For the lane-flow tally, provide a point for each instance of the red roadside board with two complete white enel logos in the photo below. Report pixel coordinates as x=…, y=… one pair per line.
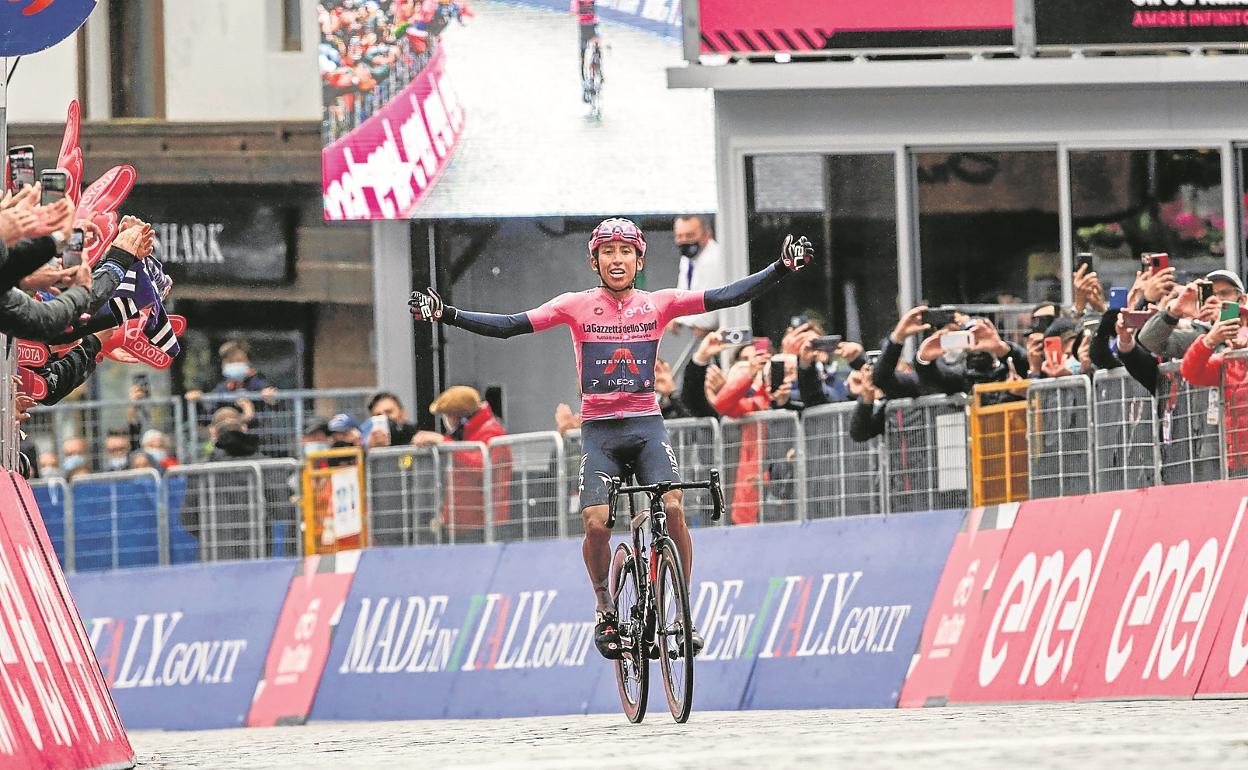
x=1111, y=596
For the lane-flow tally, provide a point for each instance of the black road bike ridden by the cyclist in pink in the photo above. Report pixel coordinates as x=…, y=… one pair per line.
x=652, y=601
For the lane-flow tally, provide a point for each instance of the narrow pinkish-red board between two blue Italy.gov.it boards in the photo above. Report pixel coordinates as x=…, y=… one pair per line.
x=303, y=640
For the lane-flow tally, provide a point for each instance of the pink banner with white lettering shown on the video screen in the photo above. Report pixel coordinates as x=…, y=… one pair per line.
x=389, y=163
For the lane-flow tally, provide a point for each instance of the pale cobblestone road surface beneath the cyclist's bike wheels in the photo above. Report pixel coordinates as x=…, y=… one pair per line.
x=1161, y=734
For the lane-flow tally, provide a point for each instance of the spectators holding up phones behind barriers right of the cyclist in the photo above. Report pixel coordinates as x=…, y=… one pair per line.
x=1158, y=320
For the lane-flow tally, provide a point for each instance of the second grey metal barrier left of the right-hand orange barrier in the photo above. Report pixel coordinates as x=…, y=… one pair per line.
x=843, y=476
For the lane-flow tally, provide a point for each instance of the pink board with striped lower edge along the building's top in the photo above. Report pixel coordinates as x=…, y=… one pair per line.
x=749, y=27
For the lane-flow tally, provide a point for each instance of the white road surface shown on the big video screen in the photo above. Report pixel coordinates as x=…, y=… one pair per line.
x=530, y=148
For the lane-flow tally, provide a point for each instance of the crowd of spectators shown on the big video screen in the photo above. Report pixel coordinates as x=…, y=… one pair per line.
x=373, y=49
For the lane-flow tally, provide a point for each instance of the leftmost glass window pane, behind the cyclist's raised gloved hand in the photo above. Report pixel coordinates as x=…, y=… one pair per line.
x=847, y=207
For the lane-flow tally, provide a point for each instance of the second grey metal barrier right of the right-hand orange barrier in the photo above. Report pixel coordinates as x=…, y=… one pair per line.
x=1125, y=419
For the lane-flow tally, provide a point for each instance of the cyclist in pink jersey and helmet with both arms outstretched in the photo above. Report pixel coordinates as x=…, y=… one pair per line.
x=616, y=330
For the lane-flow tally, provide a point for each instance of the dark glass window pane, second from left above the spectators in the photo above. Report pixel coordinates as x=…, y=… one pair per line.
x=989, y=230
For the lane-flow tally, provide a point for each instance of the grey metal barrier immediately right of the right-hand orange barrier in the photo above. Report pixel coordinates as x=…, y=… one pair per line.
x=1060, y=437
